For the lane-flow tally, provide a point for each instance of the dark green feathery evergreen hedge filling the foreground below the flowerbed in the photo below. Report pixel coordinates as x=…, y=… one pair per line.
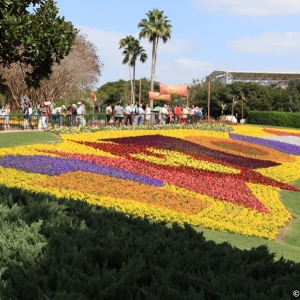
x=62, y=249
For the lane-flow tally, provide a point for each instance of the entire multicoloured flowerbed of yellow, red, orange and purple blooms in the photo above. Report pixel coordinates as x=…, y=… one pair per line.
x=213, y=179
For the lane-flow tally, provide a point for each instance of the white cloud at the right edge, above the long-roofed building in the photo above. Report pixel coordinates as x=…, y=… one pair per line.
x=268, y=42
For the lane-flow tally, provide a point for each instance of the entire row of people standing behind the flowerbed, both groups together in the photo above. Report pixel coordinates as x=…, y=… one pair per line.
x=75, y=115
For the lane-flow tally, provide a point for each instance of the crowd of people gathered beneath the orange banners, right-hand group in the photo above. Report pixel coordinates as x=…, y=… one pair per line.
x=138, y=114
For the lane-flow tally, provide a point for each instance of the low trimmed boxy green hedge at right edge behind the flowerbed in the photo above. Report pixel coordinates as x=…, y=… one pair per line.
x=274, y=118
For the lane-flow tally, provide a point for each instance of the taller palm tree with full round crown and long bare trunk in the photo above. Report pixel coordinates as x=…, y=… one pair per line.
x=155, y=27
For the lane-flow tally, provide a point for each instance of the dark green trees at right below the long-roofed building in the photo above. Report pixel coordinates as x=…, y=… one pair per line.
x=259, y=97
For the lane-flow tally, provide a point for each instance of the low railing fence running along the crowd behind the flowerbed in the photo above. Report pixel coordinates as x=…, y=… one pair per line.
x=99, y=119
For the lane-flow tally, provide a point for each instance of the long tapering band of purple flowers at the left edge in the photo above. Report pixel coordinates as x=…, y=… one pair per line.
x=57, y=165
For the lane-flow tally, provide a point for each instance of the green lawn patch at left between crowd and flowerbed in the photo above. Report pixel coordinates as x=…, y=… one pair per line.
x=14, y=139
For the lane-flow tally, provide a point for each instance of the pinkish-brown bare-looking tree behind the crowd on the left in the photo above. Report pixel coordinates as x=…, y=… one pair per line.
x=78, y=71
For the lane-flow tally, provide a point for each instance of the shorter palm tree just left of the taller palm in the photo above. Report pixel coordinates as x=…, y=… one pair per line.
x=132, y=50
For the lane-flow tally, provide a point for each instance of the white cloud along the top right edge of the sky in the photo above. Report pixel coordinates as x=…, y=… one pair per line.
x=250, y=7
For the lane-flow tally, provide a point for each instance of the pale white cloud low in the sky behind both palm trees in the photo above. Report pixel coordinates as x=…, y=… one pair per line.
x=107, y=43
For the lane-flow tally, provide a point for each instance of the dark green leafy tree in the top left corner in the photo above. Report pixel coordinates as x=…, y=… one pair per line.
x=33, y=36
